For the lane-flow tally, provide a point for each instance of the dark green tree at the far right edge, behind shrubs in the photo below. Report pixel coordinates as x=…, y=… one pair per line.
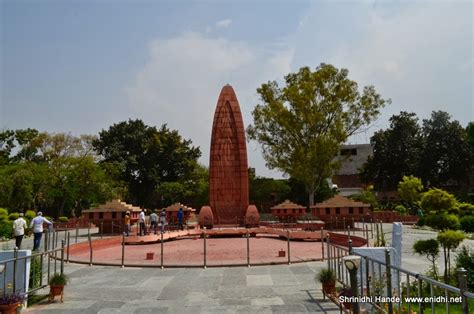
x=447, y=156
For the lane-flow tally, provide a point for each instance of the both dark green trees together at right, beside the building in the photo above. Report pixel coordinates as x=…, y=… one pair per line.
x=439, y=152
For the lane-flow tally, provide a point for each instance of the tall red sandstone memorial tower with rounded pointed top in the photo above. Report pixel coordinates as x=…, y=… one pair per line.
x=228, y=167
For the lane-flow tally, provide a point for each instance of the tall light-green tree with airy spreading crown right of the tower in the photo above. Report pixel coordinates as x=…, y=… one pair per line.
x=302, y=125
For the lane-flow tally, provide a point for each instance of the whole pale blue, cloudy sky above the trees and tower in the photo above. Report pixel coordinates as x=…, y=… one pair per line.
x=80, y=66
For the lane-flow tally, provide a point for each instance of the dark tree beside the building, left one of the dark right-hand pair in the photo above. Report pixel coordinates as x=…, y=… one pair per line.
x=396, y=152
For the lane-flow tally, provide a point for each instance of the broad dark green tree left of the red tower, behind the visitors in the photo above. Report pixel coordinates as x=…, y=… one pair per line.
x=146, y=157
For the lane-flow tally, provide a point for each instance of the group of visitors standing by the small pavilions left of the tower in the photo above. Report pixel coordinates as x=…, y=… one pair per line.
x=155, y=221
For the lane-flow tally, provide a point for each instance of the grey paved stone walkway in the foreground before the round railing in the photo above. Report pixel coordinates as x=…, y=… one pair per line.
x=260, y=289
